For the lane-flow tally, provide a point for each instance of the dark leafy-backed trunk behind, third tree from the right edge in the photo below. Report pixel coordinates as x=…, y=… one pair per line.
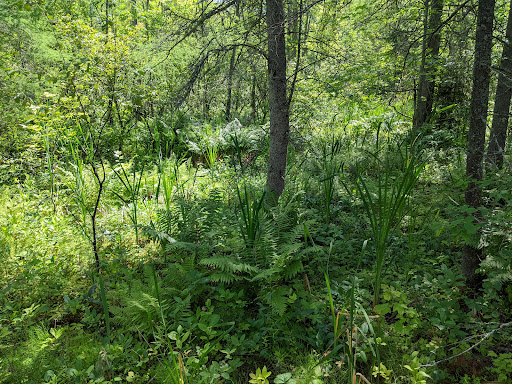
x=431, y=44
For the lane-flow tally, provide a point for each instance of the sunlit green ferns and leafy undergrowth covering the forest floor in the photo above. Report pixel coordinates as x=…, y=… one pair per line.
x=200, y=282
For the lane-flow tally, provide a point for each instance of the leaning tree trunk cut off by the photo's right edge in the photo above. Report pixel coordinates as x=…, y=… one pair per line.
x=497, y=140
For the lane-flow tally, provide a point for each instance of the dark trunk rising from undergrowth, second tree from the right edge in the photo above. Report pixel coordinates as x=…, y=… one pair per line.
x=472, y=255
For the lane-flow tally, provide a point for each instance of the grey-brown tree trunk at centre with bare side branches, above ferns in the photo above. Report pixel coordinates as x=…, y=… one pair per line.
x=278, y=103
